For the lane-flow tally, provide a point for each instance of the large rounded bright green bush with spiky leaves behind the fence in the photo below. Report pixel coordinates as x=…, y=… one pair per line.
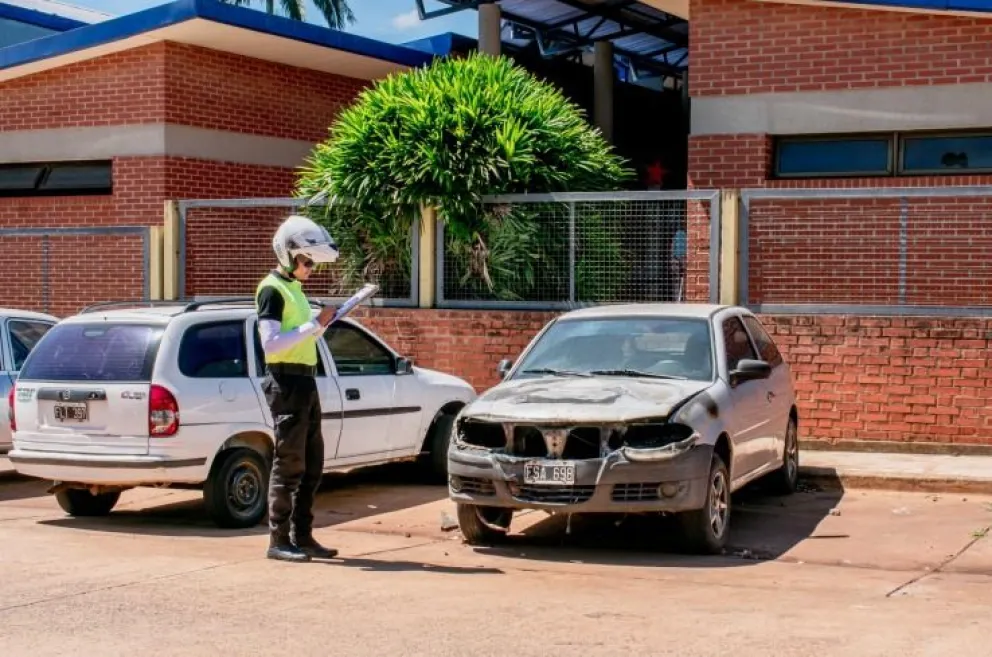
x=446, y=136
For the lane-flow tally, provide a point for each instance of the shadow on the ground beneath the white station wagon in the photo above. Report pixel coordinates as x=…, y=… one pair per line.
x=342, y=498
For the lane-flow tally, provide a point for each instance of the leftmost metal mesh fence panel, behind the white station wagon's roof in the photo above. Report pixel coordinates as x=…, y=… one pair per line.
x=59, y=270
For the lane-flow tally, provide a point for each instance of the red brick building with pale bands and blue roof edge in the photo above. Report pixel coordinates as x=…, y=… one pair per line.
x=880, y=301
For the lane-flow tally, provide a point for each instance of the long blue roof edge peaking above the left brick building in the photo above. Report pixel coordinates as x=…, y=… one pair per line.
x=131, y=25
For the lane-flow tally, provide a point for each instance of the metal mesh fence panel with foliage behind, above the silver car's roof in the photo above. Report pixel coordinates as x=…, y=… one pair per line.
x=553, y=251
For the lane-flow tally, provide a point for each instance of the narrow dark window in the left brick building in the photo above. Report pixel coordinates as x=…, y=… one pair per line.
x=56, y=179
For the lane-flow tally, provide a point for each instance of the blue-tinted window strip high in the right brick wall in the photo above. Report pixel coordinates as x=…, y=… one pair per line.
x=887, y=154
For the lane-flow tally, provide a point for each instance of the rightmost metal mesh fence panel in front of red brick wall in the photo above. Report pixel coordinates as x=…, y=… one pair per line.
x=889, y=251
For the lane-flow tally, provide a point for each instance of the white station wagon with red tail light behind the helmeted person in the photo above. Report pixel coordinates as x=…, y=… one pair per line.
x=170, y=395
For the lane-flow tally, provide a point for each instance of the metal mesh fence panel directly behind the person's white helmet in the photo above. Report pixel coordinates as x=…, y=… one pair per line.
x=226, y=248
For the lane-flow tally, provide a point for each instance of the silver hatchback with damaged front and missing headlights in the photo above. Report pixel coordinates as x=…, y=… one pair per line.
x=629, y=409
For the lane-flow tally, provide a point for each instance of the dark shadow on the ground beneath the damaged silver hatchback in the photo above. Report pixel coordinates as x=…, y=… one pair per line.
x=763, y=527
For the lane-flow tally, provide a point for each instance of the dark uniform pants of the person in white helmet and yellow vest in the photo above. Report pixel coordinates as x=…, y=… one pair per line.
x=298, y=462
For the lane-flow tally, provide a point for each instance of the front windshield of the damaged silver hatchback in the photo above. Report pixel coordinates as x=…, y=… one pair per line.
x=663, y=347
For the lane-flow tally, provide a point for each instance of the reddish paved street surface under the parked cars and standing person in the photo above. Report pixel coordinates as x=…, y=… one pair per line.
x=823, y=573
